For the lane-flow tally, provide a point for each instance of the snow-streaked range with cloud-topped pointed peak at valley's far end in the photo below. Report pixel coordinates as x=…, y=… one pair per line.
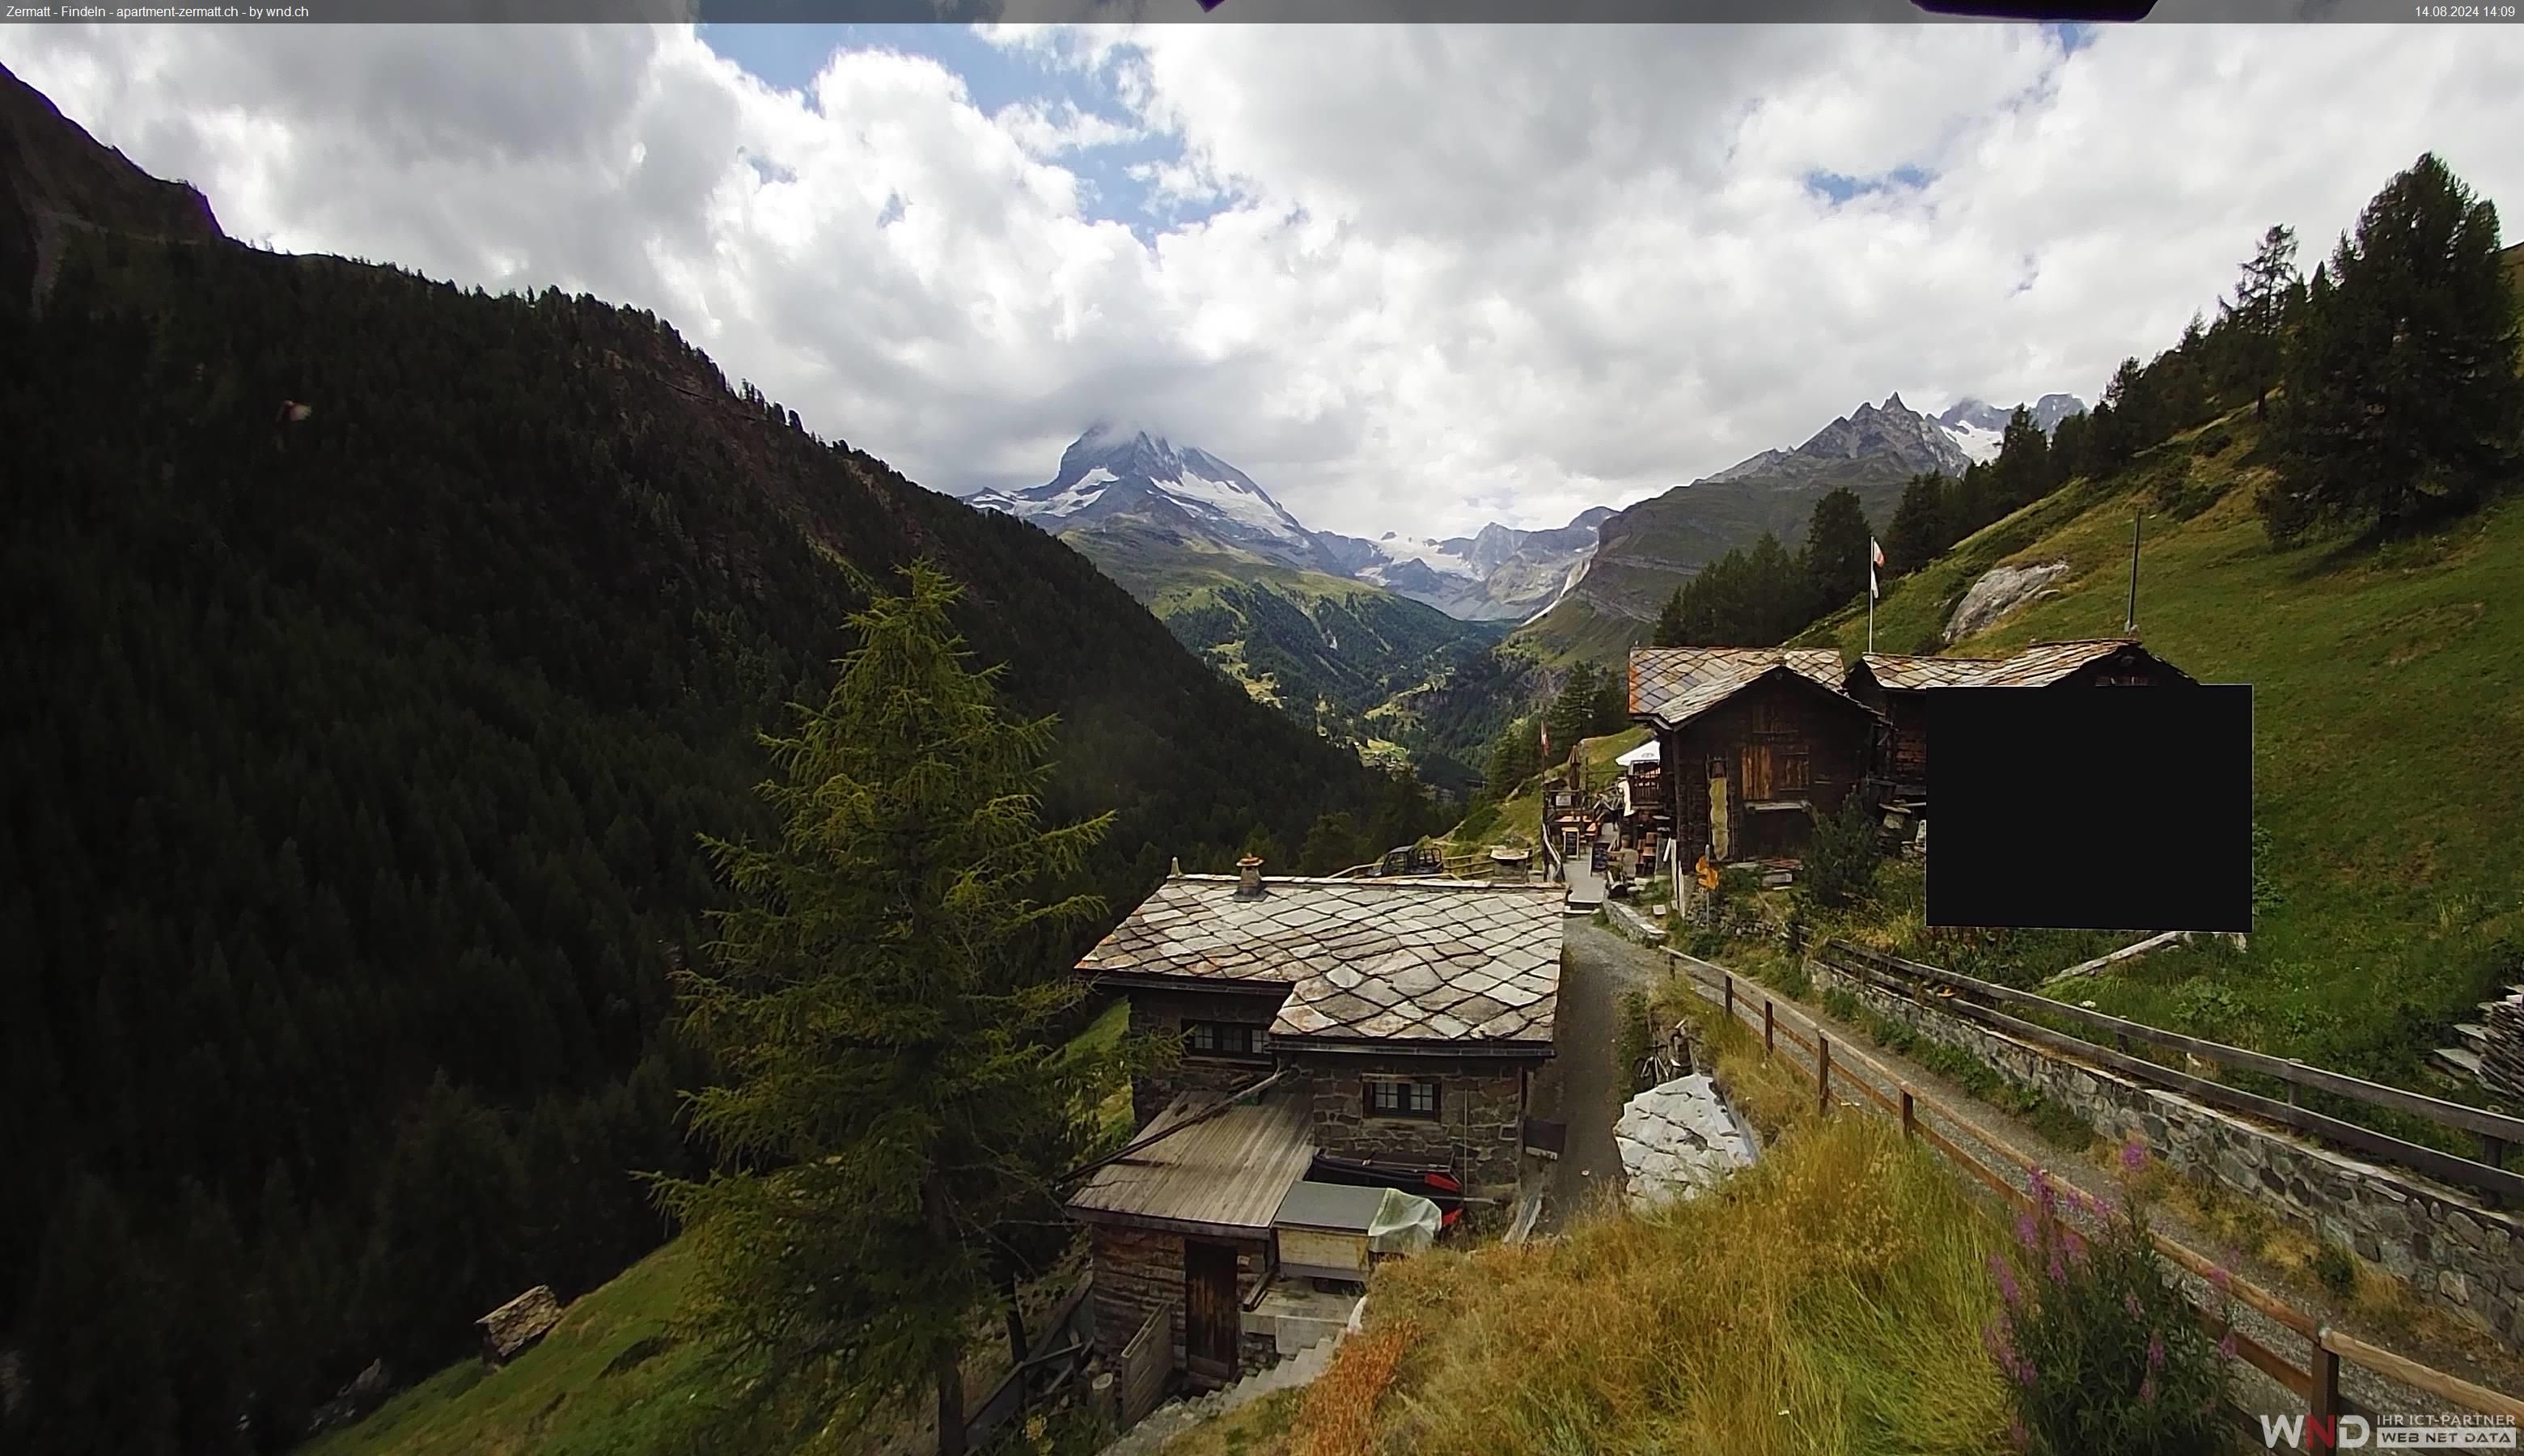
x=1137, y=488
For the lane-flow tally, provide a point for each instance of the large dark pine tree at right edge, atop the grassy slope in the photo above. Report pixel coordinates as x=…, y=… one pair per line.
x=2402, y=380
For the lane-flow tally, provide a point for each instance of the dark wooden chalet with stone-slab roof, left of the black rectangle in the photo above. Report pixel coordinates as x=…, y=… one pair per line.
x=1753, y=743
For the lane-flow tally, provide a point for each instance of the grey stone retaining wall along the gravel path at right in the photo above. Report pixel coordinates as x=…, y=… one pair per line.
x=2447, y=1245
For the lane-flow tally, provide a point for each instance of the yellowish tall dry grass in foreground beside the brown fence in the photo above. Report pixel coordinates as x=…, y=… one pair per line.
x=1826, y=1301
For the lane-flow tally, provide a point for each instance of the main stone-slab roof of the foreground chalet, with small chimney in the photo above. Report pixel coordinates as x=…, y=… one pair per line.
x=1407, y=960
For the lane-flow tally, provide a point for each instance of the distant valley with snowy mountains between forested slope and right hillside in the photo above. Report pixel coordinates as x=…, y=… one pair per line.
x=1420, y=650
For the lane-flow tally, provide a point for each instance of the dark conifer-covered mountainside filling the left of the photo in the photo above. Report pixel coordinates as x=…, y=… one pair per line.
x=377, y=655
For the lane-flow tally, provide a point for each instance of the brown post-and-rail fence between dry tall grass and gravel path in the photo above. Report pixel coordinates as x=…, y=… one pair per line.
x=2318, y=1382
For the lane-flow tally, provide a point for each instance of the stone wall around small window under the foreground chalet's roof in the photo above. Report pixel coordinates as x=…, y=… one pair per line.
x=1478, y=1134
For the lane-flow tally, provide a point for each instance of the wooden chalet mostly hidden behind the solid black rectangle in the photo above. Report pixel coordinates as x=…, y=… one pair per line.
x=1897, y=688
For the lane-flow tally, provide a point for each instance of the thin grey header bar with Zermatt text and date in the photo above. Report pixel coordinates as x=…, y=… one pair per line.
x=1268, y=11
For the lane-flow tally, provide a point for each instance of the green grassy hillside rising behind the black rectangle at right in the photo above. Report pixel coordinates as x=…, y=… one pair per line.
x=2389, y=690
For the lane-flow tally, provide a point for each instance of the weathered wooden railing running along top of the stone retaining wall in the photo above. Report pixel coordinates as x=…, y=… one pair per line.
x=1978, y=1001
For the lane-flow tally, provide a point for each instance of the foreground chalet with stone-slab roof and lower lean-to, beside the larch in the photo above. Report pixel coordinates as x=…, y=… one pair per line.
x=1362, y=1023
